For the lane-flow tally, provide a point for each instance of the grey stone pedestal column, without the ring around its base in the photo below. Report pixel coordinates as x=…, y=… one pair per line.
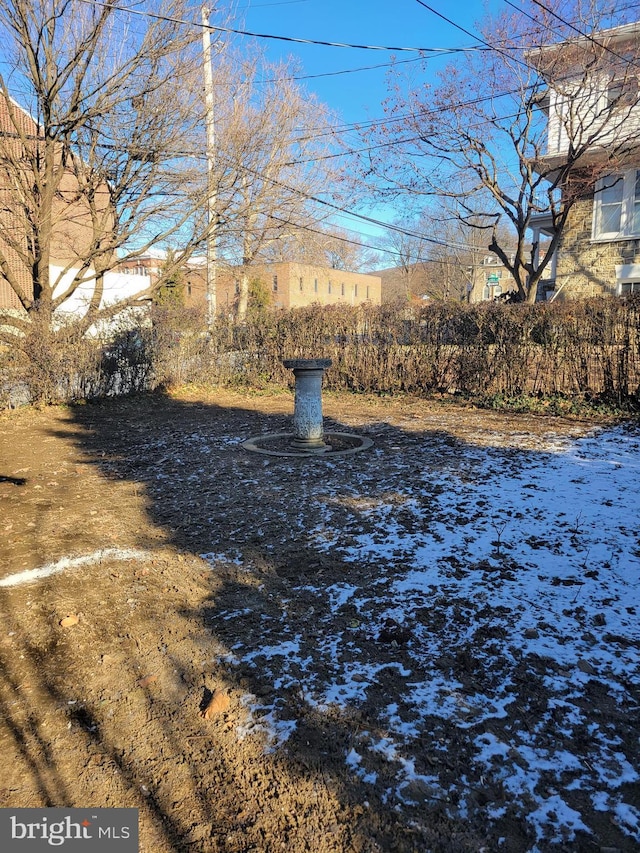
x=307, y=411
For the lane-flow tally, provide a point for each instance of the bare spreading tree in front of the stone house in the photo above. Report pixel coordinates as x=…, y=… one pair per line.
x=479, y=138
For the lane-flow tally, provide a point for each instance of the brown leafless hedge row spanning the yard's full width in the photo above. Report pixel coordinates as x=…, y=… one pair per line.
x=582, y=349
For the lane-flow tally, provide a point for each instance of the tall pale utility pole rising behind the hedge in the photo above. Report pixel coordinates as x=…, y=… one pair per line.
x=212, y=225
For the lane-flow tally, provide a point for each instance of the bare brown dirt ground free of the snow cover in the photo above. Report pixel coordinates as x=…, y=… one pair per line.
x=105, y=708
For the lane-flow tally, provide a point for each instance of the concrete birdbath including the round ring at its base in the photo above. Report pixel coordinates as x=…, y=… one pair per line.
x=308, y=437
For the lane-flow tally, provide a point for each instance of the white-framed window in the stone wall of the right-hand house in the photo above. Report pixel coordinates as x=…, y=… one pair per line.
x=616, y=208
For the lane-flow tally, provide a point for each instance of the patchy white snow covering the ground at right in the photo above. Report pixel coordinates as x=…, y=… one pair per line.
x=503, y=593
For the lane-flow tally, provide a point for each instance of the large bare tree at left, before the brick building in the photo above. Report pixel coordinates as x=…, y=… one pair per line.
x=96, y=110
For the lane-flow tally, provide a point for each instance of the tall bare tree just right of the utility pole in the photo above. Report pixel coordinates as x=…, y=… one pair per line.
x=275, y=141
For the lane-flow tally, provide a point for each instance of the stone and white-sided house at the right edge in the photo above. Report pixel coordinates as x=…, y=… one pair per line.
x=599, y=248
